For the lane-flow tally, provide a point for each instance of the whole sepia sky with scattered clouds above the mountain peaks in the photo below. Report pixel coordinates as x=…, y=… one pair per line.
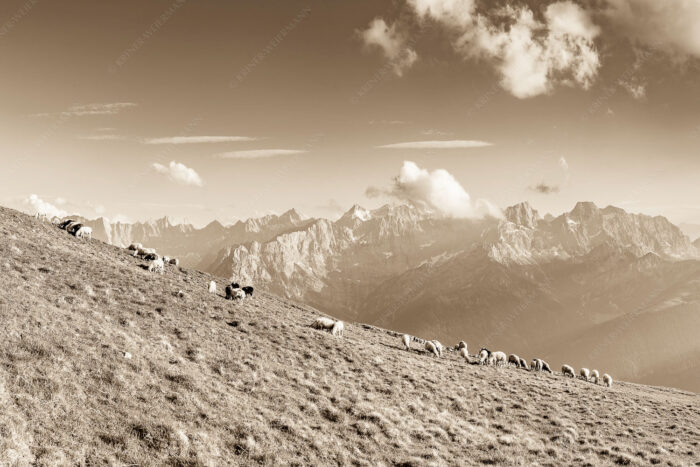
x=203, y=110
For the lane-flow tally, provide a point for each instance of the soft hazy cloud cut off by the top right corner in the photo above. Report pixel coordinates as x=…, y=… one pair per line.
x=670, y=25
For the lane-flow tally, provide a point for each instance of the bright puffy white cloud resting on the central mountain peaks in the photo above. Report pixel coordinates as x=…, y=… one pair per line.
x=437, y=190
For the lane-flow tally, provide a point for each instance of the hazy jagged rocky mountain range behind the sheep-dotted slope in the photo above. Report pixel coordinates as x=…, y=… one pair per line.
x=581, y=285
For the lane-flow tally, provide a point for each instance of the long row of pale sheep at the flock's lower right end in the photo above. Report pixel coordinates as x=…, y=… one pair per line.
x=486, y=357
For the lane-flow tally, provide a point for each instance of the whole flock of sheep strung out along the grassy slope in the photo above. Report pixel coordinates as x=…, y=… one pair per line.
x=235, y=292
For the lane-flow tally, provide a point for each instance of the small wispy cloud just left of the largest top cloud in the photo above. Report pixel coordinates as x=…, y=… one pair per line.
x=391, y=42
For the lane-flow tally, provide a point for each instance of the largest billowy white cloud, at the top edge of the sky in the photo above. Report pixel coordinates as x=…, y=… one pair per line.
x=531, y=55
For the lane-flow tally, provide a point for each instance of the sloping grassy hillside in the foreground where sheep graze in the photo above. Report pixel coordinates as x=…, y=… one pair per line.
x=103, y=362
